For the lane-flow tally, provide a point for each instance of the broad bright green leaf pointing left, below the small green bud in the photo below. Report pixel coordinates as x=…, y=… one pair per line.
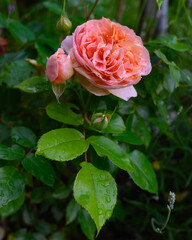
x=62, y=144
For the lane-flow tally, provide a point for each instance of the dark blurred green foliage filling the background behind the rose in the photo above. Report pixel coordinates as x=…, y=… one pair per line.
x=158, y=121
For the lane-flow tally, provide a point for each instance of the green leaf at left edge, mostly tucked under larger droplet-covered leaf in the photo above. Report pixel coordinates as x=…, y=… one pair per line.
x=12, y=206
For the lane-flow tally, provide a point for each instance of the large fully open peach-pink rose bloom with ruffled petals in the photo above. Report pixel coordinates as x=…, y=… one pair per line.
x=107, y=57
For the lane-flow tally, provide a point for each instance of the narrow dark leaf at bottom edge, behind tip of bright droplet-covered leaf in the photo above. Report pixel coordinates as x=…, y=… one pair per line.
x=87, y=225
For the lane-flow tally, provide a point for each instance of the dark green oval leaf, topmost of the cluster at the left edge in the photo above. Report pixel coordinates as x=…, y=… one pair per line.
x=23, y=136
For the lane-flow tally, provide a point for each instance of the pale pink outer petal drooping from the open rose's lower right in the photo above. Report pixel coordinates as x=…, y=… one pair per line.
x=124, y=93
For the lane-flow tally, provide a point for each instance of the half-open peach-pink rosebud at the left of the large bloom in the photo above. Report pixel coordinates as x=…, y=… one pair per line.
x=59, y=67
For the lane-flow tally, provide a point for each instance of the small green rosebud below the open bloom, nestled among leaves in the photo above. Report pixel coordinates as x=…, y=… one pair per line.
x=99, y=121
